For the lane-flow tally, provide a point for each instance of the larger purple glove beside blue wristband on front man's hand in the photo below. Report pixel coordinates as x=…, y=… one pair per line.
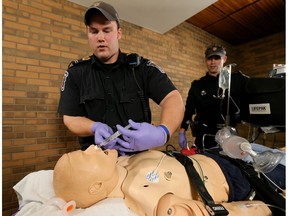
x=143, y=136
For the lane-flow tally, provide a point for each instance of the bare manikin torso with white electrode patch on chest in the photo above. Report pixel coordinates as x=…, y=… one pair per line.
x=146, y=177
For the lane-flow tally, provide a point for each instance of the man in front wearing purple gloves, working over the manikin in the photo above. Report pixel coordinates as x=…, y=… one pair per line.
x=111, y=89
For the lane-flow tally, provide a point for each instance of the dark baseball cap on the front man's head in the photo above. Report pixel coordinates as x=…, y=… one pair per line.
x=106, y=9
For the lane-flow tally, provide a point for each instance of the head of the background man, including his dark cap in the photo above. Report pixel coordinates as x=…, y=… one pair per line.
x=215, y=56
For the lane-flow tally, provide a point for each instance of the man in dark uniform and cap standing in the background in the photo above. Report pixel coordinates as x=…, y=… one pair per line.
x=204, y=101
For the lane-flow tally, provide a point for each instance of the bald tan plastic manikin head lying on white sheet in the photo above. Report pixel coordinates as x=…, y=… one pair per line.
x=85, y=176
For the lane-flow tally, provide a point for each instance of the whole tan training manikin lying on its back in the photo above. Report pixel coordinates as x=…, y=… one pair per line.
x=151, y=183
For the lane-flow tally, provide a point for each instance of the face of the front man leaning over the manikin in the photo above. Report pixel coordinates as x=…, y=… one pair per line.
x=103, y=36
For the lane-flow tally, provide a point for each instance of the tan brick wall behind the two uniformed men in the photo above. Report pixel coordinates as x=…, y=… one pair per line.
x=40, y=38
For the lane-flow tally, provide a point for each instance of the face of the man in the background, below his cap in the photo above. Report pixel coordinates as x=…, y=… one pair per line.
x=215, y=64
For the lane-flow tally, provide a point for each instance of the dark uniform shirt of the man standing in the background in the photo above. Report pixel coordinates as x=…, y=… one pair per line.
x=202, y=100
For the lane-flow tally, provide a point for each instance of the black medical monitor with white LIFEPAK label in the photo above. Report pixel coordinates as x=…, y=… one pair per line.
x=263, y=102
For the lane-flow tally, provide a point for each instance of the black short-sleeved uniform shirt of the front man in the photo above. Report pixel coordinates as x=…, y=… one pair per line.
x=111, y=93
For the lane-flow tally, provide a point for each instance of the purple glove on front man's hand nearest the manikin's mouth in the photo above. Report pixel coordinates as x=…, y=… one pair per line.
x=101, y=131
